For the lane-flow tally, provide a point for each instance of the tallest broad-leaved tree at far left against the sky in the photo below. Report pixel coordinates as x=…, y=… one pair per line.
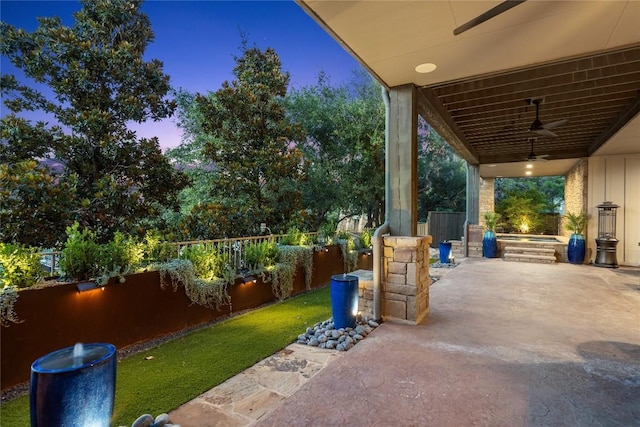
x=100, y=82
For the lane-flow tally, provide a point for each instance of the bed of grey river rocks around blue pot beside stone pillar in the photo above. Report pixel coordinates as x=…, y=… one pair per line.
x=325, y=335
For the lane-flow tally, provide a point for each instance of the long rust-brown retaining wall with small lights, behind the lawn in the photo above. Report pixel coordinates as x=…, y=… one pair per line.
x=127, y=313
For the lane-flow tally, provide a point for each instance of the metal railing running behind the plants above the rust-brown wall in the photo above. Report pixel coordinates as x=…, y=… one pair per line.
x=234, y=248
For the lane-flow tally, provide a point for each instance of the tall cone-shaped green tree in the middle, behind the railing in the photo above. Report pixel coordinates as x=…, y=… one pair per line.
x=248, y=146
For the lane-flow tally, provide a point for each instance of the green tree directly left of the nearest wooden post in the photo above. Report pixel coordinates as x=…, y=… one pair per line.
x=344, y=148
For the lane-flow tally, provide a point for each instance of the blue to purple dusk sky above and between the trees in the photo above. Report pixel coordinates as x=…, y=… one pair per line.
x=197, y=40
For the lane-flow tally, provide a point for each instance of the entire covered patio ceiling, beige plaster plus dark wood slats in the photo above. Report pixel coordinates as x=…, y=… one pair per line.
x=581, y=59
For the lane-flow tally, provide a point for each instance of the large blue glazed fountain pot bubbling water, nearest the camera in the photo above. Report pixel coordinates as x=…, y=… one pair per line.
x=68, y=390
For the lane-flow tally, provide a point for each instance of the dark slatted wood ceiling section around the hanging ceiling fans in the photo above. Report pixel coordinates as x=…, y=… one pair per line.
x=597, y=94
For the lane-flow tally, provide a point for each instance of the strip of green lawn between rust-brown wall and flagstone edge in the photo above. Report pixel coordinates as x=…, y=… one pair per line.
x=188, y=366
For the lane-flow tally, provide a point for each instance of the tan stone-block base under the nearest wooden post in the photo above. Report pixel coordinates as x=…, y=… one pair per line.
x=406, y=280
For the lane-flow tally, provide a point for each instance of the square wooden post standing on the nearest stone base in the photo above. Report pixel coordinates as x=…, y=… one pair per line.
x=403, y=161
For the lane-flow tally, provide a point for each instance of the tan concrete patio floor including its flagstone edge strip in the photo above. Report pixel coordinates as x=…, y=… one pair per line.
x=505, y=344
